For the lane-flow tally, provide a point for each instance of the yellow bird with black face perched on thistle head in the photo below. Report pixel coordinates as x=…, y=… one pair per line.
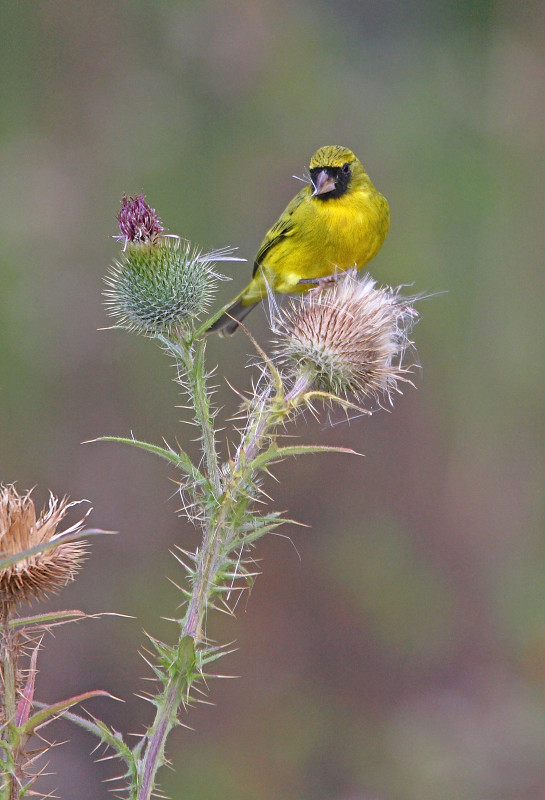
x=337, y=222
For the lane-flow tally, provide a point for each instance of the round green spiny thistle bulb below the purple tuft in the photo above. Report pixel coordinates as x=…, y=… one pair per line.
x=158, y=287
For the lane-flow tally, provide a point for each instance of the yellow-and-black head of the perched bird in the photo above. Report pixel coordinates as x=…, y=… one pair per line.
x=333, y=171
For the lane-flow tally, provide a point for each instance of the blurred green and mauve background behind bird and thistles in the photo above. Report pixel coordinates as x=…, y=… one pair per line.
x=397, y=652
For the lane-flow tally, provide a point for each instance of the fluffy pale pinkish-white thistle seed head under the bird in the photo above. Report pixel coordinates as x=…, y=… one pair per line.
x=348, y=339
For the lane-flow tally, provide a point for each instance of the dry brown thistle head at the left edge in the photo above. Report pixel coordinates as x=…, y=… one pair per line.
x=20, y=529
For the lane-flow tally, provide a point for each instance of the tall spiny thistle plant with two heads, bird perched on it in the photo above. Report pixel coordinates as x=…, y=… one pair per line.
x=343, y=345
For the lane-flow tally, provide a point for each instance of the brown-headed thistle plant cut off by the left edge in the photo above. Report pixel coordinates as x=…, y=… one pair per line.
x=35, y=560
